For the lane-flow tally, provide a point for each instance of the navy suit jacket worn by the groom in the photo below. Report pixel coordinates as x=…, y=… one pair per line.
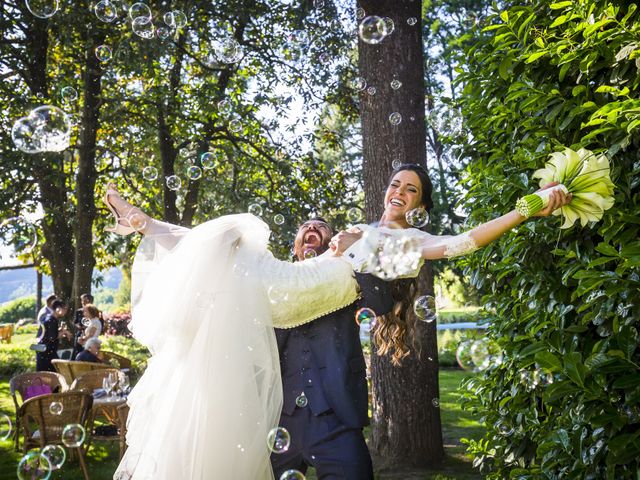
x=324, y=359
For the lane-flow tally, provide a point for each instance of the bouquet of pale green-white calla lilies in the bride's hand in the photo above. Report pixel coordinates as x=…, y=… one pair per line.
x=583, y=174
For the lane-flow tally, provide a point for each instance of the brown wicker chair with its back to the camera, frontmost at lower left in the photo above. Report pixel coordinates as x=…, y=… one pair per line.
x=42, y=428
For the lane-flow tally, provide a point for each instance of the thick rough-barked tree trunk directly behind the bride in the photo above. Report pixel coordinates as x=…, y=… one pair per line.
x=406, y=424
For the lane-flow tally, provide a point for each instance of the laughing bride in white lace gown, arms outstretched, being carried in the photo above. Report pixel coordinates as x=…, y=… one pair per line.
x=205, y=301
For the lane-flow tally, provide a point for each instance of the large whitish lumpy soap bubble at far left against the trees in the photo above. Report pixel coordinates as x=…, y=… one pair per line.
x=45, y=129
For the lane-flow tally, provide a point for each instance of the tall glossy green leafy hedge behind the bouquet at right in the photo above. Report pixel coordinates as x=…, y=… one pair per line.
x=564, y=305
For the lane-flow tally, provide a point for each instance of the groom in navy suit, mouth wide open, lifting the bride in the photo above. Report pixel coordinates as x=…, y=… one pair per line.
x=324, y=379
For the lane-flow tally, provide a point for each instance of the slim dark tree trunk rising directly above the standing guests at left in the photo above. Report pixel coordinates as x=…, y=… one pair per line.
x=86, y=177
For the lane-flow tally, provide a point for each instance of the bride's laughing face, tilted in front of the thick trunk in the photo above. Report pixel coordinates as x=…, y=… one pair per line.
x=404, y=193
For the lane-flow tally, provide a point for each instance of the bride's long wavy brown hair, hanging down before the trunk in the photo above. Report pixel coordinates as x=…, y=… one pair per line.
x=394, y=330
